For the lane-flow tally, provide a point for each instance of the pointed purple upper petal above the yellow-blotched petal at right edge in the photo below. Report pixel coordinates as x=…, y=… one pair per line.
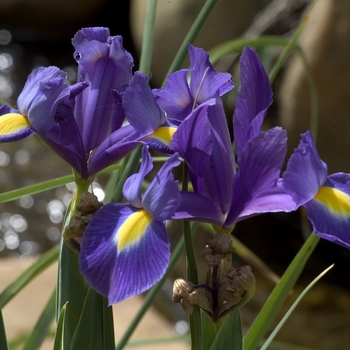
x=305, y=172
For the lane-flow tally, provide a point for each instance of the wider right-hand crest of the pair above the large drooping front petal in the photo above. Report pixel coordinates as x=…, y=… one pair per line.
x=162, y=197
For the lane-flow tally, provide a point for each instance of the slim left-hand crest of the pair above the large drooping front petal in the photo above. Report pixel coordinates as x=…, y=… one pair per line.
x=132, y=186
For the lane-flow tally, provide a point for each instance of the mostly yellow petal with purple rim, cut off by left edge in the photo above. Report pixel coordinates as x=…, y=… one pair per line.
x=13, y=127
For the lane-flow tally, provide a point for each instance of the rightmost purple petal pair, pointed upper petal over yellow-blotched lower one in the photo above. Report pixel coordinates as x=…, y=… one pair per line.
x=326, y=198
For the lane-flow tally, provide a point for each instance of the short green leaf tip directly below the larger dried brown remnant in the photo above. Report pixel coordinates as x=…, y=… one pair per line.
x=229, y=336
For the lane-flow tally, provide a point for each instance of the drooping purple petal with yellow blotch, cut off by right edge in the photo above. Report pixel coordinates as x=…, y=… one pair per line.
x=329, y=211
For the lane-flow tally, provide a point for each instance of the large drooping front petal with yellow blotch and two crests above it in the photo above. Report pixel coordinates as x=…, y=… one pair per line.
x=125, y=249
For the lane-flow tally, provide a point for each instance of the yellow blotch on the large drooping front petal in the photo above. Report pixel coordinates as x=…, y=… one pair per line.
x=133, y=228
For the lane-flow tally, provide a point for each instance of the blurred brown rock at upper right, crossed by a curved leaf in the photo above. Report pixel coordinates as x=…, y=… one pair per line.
x=326, y=43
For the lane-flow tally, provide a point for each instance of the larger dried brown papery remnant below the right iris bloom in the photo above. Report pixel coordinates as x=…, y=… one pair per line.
x=226, y=288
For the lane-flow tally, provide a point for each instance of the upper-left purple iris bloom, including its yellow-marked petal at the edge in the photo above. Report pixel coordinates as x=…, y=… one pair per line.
x=82, y=120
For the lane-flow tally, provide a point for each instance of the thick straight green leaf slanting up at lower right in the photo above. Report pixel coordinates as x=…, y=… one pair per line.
x=278, y=296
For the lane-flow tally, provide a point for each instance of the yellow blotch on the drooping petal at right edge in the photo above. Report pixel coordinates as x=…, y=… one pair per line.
x=336, y=200
